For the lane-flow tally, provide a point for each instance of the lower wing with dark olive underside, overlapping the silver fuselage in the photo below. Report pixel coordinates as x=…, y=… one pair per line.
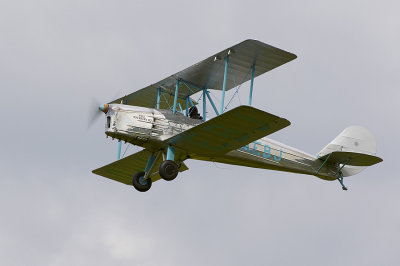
x=228, y=131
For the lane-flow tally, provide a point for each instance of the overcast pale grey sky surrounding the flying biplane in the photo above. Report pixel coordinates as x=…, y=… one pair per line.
x=57, y=55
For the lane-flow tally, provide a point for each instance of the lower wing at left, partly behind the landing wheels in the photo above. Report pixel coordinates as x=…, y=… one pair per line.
x=124, y=169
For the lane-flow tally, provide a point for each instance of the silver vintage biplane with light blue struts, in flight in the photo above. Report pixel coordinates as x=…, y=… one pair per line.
x=164, y=120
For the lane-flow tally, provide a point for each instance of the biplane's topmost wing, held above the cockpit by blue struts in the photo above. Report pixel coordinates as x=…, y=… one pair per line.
x=209, y=73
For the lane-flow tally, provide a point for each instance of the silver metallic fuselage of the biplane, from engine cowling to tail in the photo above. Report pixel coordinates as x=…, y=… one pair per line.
x=150, y=128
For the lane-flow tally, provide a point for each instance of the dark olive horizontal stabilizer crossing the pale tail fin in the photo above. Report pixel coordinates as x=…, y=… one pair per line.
x=351, y=158
